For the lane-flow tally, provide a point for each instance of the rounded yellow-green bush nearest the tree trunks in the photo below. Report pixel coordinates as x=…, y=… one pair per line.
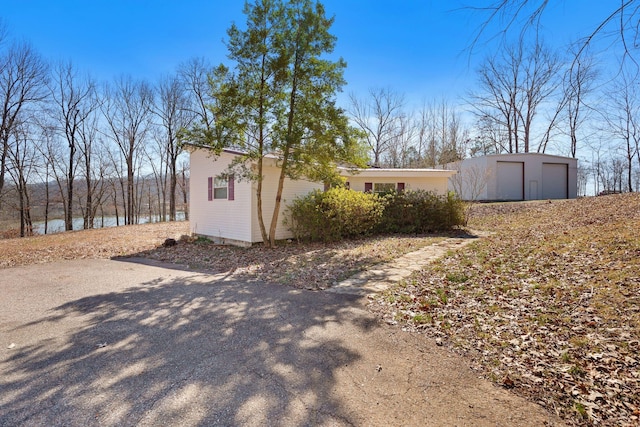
x=335, y=214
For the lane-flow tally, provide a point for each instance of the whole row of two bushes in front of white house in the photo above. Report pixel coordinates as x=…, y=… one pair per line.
x=341, y=213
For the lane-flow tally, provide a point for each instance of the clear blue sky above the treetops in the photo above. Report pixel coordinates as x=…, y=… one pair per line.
x=416, y=47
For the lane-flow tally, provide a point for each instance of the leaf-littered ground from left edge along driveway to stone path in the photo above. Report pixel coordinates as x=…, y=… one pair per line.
x=304, y=265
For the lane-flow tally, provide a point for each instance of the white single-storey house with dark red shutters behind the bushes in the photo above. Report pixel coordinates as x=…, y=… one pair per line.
x=225, y=210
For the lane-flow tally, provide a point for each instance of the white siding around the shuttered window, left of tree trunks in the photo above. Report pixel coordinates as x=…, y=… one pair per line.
x=219, y=219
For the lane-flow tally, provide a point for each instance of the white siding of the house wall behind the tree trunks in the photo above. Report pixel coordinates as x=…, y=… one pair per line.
x=290, y=191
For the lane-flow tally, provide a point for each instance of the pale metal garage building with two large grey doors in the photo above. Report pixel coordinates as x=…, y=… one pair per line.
x=523, y=176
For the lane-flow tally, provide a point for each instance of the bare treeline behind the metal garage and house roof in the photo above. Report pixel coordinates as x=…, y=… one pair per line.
x=527, y=98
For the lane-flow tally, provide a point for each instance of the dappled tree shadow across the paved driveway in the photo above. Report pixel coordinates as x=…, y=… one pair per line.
x=185, y=349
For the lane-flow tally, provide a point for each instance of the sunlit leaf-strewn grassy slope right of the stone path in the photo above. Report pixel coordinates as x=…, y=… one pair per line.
x=548, y=305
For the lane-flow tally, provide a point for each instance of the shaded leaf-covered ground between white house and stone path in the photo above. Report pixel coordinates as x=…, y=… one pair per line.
x=303, y=265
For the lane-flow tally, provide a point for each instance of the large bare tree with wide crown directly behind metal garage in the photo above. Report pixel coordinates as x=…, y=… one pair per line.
x=512, y=87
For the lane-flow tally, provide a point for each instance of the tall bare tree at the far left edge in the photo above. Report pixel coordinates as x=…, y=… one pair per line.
x=23, y=76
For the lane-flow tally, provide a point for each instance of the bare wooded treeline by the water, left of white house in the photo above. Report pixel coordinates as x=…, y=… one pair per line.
x=77, y=147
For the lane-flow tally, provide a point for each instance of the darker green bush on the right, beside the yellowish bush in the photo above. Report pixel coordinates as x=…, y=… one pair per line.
x=420, y=211
